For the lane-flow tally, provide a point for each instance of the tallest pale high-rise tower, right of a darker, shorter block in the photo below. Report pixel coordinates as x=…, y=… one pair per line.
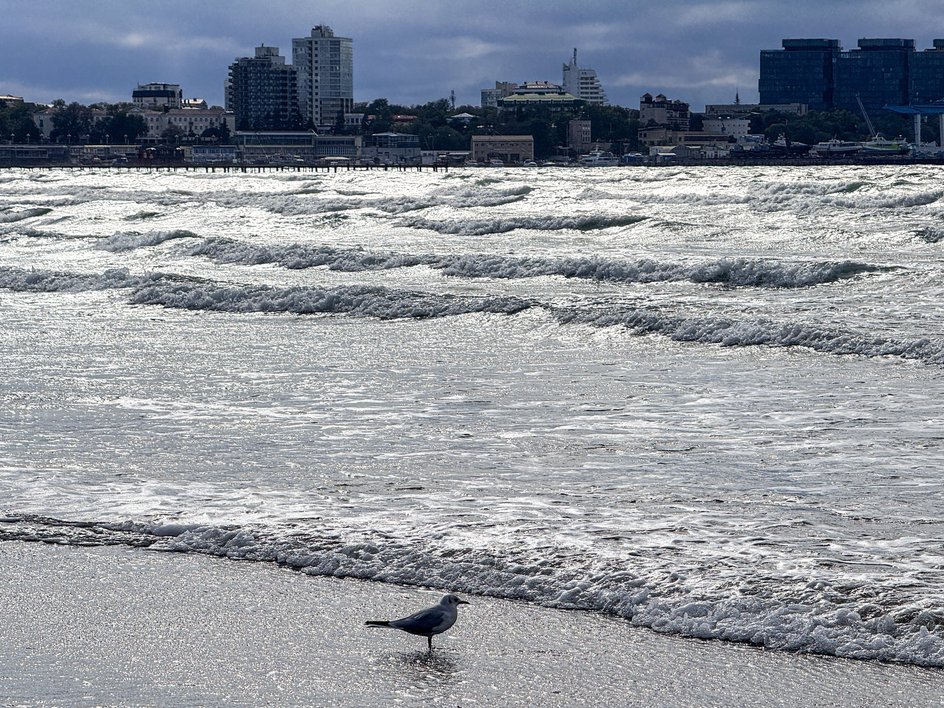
x=325, y=65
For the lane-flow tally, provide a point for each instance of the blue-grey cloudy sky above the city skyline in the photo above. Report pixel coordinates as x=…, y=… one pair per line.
x=413, y=51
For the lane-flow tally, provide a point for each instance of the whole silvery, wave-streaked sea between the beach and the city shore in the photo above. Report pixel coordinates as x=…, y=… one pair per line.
x=705, y=400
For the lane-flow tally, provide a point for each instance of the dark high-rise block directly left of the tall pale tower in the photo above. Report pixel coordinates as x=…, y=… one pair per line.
x=262, y=92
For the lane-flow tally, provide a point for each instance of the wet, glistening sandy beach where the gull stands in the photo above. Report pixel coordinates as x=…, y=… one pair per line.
x=118, y=626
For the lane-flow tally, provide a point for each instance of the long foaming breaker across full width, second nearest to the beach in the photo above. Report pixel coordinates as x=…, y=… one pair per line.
x=385, y=303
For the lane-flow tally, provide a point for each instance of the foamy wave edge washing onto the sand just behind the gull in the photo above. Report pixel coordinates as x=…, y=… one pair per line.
x=774, y=612
